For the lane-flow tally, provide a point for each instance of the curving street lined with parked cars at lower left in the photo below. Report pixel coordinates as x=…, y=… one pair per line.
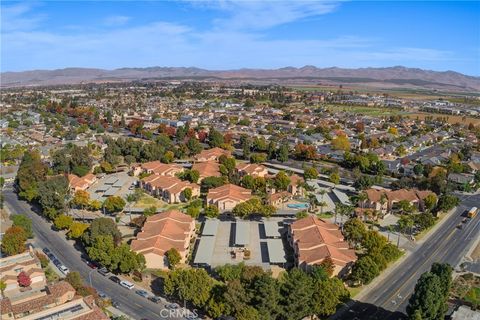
x=130, y=303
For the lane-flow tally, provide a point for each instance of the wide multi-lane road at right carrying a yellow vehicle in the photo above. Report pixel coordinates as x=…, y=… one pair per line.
x=389, y=298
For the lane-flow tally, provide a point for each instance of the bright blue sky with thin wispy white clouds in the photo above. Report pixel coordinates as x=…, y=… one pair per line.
x=240, y=34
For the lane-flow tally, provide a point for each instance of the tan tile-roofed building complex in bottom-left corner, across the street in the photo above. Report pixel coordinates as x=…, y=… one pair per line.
x=39, y=300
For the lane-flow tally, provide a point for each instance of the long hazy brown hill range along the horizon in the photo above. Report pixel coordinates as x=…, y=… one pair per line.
x=392, y=77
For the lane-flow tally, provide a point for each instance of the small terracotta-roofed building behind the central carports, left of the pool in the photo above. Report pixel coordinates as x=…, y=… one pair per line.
x=228, y=196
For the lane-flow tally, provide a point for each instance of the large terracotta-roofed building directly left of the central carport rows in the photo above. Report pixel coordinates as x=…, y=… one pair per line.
x=162, y=232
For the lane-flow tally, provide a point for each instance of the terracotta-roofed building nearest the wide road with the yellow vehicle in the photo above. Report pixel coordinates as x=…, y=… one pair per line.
x=384, y=201
